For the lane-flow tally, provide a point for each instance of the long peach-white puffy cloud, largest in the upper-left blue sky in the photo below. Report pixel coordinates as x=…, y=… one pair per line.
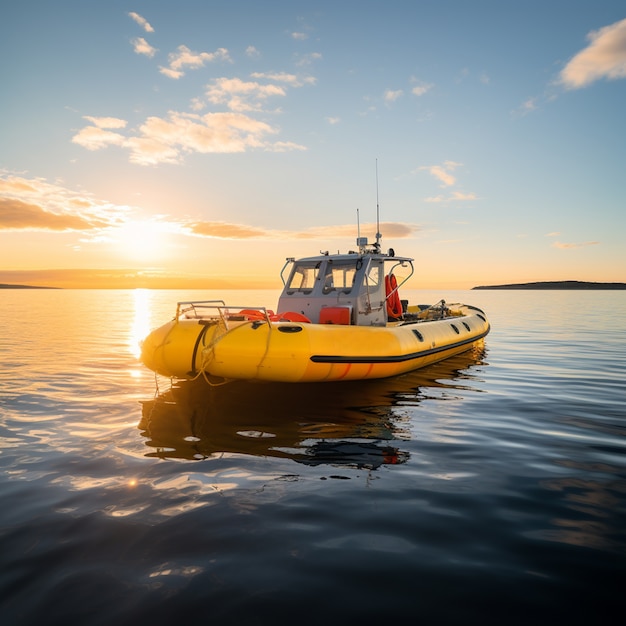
x=168, y=139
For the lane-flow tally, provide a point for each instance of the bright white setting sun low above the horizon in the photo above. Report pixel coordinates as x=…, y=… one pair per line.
x=141, y=241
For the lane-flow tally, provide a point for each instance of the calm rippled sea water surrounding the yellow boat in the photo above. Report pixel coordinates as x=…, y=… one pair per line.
x=488, y=489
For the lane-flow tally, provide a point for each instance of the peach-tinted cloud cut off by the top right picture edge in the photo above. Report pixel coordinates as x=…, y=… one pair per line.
x=604, y=57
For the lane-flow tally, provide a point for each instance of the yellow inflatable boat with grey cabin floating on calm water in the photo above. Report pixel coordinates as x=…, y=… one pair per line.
x=339, y=317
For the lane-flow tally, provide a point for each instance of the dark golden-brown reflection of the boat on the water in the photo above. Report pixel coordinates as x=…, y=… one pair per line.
x=352, y=424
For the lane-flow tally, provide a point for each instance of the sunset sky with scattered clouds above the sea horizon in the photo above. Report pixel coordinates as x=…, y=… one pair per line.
x=198, y=144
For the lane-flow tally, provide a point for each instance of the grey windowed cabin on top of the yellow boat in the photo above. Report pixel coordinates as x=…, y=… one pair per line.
x=355, y=288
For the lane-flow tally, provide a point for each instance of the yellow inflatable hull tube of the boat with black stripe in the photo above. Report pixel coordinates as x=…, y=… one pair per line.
x=301, y=352
